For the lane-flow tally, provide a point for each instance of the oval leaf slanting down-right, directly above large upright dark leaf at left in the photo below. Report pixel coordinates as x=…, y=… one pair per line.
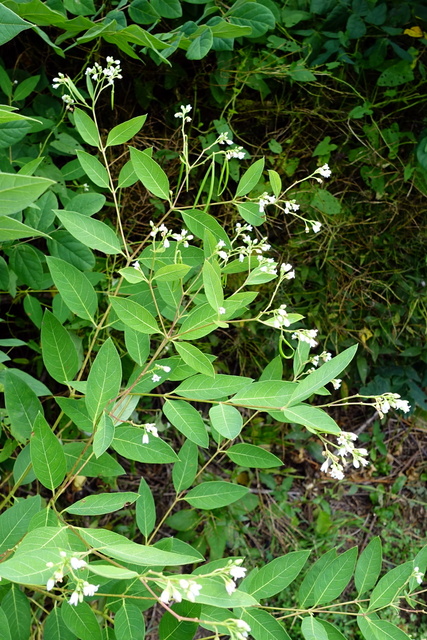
x=74, y=287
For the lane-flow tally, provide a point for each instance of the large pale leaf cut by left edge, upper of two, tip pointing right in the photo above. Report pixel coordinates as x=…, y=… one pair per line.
x=18, y=191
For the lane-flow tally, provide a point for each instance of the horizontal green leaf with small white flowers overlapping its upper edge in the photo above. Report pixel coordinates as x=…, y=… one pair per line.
x=128, y=443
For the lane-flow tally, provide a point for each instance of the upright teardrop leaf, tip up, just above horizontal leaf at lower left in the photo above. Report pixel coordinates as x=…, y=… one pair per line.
x=47, y=455
